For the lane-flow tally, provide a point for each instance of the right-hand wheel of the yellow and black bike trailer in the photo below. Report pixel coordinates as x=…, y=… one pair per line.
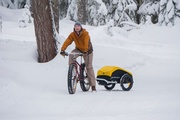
x=126, y=82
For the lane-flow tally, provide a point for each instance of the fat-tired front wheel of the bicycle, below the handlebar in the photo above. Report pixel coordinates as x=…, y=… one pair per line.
x=72, y=79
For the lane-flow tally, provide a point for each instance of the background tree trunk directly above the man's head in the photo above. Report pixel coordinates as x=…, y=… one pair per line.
x=82, y=11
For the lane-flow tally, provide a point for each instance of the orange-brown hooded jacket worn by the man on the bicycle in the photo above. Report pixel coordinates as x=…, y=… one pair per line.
x=81, y=41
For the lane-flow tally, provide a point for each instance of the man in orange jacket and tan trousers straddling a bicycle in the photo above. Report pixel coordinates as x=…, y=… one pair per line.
x=83, y=44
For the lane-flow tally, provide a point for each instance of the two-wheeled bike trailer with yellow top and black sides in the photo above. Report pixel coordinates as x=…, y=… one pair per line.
x=109, y=76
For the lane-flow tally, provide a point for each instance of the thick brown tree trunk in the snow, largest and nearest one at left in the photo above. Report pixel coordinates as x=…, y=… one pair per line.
x=43, y=24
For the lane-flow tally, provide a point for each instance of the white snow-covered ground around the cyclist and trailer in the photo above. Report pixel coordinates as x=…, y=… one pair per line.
x=38, y=91
